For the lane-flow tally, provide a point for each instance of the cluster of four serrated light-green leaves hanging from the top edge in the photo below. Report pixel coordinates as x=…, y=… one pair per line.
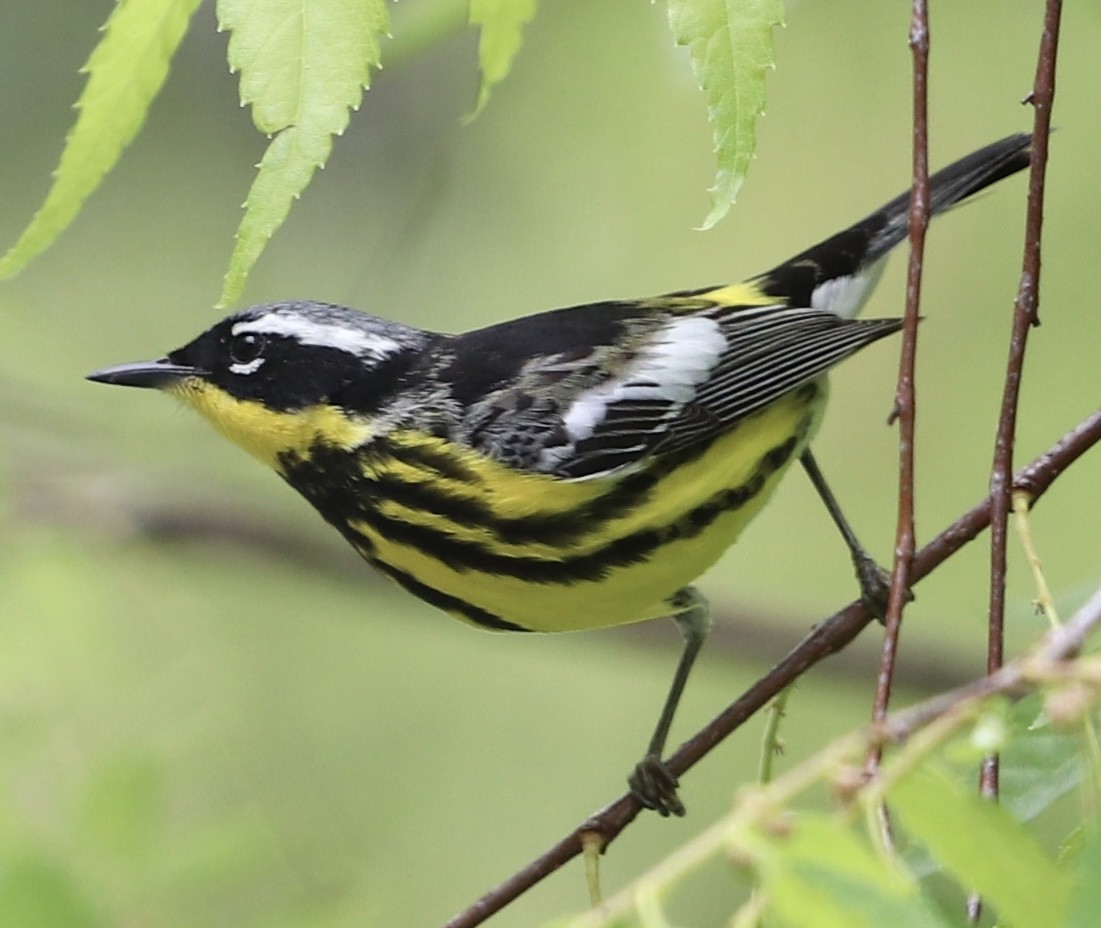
x=303, y=69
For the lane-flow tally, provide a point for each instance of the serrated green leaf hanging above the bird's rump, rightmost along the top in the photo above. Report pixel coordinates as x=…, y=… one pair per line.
x=731, y=47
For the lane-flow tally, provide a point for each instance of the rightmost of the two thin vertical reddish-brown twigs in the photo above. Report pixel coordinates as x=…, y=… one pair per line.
x=1026, y=315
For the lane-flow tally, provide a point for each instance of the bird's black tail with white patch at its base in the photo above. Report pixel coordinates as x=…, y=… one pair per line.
x=855, y=253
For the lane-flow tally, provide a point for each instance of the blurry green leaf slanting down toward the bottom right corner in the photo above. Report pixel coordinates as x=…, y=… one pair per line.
x=983, y=848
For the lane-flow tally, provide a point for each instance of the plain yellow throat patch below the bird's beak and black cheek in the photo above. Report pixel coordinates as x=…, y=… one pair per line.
x=267, y=433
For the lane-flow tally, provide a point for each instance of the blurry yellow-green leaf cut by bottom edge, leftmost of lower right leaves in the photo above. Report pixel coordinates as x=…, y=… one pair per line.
x=822, y=876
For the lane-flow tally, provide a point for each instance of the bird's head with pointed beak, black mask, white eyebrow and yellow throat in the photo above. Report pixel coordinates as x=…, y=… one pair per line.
x=274, y=378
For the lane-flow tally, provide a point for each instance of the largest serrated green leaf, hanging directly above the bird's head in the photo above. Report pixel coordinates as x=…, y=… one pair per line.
x=304, y=65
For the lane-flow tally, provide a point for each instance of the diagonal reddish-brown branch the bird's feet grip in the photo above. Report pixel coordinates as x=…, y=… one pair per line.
x=831, y=637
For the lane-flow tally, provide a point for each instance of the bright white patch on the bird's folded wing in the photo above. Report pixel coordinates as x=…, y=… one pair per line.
x=682, y=357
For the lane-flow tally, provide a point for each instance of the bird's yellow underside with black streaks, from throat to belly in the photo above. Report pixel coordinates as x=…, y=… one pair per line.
x=504, y=548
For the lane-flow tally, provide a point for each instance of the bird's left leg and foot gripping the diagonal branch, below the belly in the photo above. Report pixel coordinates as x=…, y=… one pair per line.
x=652, y=782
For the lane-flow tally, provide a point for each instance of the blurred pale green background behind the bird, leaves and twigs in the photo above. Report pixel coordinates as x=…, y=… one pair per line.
x=212, y=714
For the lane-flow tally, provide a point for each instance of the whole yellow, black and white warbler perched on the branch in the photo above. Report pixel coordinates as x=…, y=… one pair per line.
x=574, y=470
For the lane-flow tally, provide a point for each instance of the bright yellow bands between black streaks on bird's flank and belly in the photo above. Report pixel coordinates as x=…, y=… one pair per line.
x=626, y=594
